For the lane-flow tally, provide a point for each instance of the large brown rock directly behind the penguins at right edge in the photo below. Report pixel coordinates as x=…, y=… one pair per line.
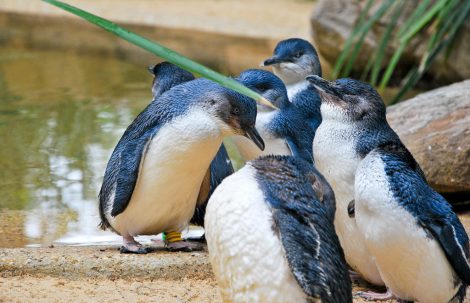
x=435, y=126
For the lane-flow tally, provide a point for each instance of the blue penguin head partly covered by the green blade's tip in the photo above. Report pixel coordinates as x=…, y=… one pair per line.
x=267, y=85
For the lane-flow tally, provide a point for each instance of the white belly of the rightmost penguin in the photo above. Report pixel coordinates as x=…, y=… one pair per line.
x=412, y=265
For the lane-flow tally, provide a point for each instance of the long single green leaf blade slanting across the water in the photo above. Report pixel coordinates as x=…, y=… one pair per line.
x=162, y=51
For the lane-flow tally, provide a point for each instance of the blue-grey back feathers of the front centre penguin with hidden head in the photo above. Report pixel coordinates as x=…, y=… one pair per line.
x=305, y=226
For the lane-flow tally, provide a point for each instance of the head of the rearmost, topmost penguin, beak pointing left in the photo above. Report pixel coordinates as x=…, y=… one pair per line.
x=293, y=60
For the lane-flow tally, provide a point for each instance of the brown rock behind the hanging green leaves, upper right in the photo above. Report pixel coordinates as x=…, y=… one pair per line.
x=333, y=20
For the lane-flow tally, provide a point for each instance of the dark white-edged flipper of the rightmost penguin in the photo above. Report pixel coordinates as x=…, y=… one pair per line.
x=456, y=253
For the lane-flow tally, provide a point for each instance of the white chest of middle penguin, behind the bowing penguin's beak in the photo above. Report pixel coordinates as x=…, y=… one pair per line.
x=273, y=145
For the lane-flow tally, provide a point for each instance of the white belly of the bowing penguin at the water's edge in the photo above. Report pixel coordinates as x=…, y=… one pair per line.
x=170, y=177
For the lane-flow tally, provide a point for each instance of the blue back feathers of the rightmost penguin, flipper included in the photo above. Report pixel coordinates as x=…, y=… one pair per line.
x=429, y=208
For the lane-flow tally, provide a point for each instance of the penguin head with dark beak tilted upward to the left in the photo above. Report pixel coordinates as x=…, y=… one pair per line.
x=348, y=100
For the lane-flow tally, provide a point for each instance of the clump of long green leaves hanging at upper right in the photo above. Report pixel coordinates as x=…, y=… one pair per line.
x=441, y=19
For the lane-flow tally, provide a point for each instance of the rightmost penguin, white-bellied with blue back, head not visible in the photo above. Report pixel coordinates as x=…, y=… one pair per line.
x=419, y=244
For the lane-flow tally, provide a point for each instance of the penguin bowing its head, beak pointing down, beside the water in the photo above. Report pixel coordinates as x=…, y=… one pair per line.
x=154, y=176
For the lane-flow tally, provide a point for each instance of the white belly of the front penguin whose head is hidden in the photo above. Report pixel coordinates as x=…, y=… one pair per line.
x=247, y=257
